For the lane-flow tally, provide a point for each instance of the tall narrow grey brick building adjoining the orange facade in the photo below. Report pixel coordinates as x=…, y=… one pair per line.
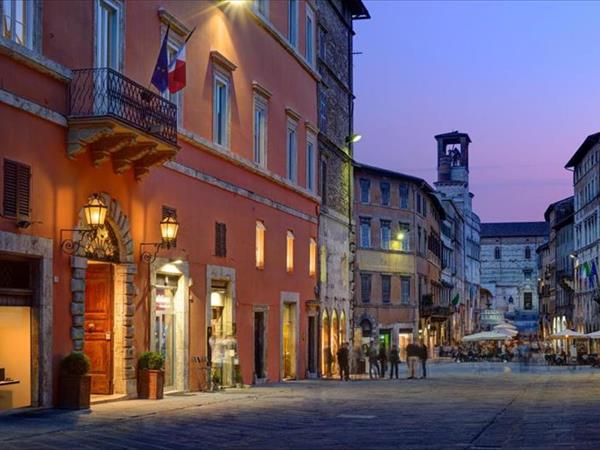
x=336, y=105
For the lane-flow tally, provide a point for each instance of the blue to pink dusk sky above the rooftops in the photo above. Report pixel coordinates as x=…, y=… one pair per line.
x=522, y=78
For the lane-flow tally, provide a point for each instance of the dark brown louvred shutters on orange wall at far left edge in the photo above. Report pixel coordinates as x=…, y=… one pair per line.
x=17, y=186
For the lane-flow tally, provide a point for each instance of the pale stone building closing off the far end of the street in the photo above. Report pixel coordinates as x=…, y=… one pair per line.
x=509, y=268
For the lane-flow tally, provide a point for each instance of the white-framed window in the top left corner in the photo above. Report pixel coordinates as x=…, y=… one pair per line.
x=17, y=21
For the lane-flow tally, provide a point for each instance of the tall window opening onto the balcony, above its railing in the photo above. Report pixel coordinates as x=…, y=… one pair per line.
x=108, y=34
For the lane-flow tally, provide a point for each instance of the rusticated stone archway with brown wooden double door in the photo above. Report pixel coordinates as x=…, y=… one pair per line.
x=102, y=302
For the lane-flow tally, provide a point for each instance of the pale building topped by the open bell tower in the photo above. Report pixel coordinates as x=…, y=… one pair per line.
x=453, y=185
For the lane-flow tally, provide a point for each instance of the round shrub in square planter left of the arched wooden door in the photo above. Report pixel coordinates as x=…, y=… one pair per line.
x=75, y=383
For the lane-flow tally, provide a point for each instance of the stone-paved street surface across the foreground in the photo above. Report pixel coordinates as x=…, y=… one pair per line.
x=460, y=406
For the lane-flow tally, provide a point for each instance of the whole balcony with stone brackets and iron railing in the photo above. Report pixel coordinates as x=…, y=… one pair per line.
x=119, y=121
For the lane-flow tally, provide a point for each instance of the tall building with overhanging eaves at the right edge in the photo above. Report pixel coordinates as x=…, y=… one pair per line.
x=585, y=164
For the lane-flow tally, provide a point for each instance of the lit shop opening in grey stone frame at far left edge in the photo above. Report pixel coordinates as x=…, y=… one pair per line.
x=25, y=321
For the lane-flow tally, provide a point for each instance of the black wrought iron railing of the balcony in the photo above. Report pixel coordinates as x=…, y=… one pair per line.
x=104, y=92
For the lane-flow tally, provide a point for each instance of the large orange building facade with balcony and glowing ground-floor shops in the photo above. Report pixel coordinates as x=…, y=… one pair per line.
x=231, y=158
